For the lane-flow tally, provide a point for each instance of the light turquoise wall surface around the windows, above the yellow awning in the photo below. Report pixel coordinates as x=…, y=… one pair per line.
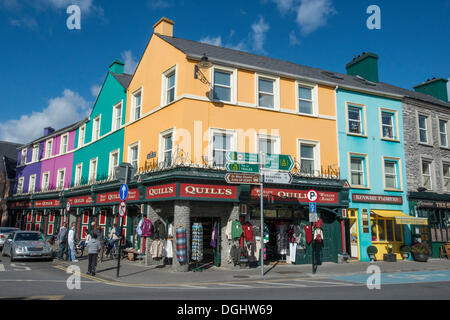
x=375, y=148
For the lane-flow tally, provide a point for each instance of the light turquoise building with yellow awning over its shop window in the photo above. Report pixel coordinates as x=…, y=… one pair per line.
x=371, y=155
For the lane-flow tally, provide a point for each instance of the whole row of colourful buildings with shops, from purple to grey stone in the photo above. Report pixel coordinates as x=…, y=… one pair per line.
x=356, y=140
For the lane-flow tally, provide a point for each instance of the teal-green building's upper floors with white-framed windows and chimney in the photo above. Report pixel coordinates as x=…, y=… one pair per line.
x=99, y=139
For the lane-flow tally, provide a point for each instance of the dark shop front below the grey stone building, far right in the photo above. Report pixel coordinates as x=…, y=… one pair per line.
x=435, y=208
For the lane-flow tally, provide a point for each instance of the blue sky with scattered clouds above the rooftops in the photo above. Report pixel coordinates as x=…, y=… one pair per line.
x=51, y=75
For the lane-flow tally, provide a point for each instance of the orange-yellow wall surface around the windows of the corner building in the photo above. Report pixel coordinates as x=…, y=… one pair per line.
x=192, y=115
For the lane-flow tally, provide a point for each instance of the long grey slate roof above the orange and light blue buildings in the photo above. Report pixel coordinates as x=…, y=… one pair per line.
x=245, y=60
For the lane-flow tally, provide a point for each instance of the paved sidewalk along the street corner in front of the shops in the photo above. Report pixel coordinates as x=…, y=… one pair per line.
x=138, y=273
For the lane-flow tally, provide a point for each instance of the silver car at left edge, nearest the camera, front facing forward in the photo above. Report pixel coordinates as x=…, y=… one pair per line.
x=27, y=245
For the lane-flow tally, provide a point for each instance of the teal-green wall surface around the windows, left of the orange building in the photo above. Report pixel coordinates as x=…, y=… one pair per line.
x=110, y=95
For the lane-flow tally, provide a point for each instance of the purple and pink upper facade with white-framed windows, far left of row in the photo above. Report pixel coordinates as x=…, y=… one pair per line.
x=45, y=164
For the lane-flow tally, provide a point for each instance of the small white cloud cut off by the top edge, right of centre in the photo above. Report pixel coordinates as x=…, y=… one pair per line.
x=313, y=14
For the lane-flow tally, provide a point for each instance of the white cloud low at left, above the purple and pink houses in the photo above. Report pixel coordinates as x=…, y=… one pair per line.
x=60, y=112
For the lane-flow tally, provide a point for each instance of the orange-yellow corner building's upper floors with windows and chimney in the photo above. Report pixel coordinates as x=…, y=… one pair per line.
x=176, y=116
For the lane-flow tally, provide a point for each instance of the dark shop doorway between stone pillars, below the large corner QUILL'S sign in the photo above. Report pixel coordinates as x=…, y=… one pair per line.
x=211, y=256
